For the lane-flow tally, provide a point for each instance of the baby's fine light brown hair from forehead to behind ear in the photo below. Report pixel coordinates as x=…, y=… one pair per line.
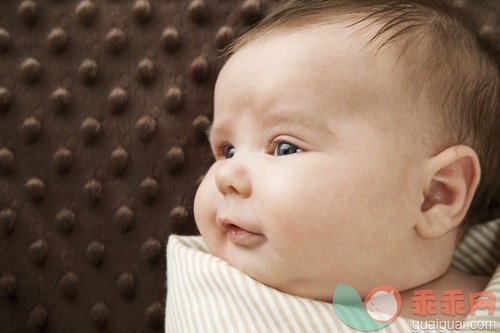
x=445, y=56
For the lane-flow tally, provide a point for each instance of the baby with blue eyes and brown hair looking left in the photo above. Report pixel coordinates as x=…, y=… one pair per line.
x=349, y=141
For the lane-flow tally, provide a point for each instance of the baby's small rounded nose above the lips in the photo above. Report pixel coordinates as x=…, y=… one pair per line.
x=232, y=177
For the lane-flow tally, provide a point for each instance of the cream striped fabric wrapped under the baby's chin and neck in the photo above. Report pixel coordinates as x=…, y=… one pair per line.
x=205, y=294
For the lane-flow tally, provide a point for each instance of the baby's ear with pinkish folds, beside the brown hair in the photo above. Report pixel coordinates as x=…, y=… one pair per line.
x=451, y=180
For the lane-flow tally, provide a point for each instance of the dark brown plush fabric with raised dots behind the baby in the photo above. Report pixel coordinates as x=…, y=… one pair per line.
x=103, y=109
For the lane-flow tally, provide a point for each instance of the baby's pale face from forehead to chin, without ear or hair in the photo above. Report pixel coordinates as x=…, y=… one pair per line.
x=315, y=181
